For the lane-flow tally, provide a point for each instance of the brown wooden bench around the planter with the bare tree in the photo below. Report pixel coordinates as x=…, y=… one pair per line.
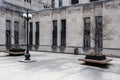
x=96, y=61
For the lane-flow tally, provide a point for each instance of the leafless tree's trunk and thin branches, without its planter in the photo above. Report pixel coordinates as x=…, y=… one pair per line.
x=100, y=31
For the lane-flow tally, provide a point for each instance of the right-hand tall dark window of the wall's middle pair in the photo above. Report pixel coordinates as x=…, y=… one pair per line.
x=63, y=32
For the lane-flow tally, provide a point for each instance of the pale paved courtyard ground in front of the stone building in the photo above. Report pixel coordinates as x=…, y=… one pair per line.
x=55, y=66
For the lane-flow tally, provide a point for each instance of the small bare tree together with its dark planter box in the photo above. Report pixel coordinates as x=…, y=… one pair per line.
x=99, y=32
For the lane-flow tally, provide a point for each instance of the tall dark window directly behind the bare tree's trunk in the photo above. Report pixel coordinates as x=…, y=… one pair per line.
x=98, y=33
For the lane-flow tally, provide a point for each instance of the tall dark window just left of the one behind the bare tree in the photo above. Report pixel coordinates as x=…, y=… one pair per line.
x=87, y=32
